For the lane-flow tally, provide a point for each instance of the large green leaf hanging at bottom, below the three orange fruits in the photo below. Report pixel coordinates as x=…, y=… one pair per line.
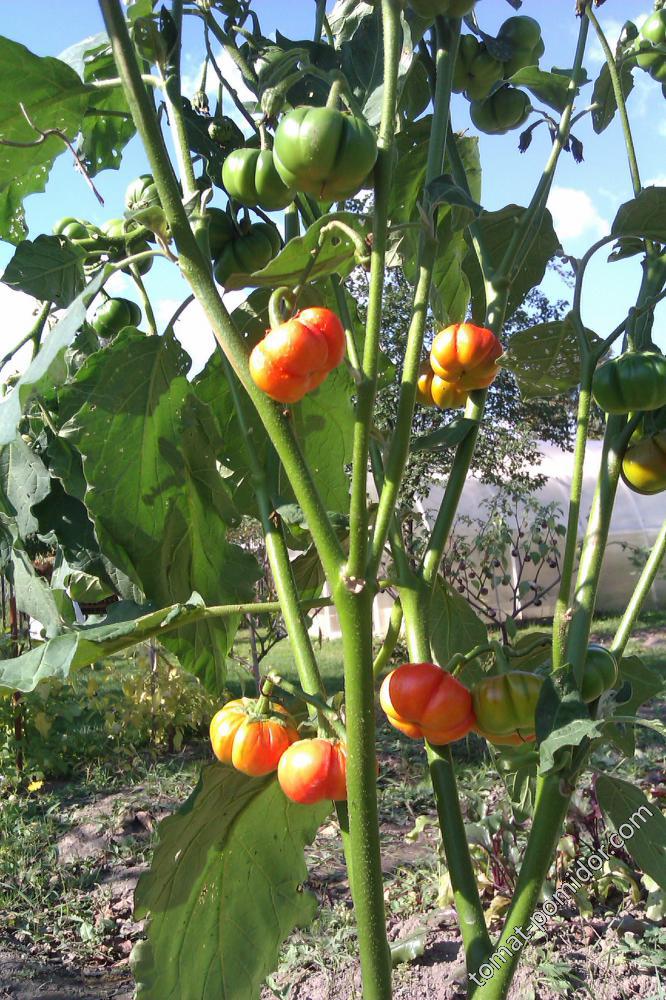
x=224, y=890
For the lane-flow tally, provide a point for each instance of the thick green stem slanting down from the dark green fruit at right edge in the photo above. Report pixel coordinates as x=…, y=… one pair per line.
x=594, y=544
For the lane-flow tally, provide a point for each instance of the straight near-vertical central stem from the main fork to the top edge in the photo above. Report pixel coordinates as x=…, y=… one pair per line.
x=358, y=509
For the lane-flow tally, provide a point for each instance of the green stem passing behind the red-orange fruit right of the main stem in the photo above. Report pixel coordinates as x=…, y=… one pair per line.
x=442, y=772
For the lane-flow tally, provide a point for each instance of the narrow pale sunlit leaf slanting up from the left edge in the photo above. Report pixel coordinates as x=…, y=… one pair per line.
x=48, y=368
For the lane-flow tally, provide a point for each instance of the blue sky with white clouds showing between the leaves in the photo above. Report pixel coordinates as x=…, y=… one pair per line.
x=584, y=200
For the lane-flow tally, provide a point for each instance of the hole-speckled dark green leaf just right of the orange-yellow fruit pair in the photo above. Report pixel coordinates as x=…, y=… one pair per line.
x=545, y=358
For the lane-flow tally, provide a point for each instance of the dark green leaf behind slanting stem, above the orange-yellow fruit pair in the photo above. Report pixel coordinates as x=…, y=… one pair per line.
x=498, y=228
